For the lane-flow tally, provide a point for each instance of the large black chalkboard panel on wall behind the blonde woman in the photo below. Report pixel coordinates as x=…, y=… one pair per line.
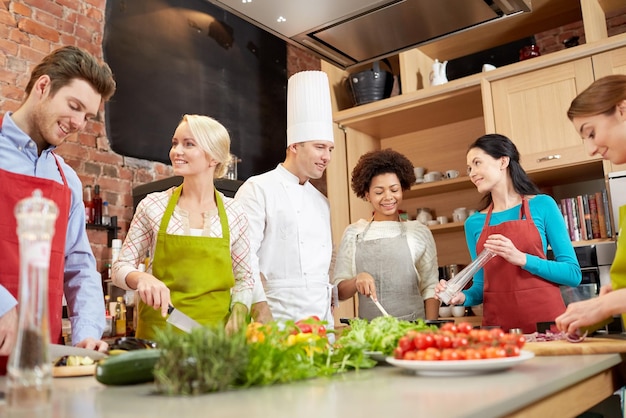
x=172, y=57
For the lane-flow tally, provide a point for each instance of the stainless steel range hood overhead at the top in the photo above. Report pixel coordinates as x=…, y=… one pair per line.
x=352, y=32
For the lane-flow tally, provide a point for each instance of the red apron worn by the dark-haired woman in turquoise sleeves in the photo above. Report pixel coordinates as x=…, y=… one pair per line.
x=513, y=297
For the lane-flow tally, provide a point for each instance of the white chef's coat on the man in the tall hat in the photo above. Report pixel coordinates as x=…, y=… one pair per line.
x=290, y=234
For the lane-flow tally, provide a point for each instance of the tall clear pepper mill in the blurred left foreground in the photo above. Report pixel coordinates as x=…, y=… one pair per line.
x=29, y=369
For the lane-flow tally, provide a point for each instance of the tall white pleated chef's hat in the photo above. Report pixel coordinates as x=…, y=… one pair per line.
x=309, y=113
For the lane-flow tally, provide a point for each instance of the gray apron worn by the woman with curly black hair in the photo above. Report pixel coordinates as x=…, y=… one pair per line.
x=390, y=263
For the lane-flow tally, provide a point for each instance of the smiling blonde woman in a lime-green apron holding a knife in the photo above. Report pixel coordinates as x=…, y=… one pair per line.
x=198, y=238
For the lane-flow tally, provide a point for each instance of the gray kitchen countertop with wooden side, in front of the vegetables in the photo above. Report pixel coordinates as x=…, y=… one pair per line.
x=543, y=386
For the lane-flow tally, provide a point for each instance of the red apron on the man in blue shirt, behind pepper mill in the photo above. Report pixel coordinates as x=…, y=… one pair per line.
x=13, y=188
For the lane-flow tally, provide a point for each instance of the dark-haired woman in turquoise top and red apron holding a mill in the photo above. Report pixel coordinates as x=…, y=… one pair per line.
x=520, y=287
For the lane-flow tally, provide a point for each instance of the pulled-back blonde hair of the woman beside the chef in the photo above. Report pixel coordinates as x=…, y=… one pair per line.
x=213, y=138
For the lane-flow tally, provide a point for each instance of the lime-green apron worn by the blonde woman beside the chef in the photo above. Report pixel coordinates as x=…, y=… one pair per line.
x=197, y=270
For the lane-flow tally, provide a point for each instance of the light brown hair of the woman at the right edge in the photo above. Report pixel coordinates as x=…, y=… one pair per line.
x=600, y=98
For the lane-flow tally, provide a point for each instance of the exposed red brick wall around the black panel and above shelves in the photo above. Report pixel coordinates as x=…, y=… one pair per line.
x=30, y=29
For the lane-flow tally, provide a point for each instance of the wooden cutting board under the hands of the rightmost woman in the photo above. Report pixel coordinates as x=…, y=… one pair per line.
x=595, y=345
